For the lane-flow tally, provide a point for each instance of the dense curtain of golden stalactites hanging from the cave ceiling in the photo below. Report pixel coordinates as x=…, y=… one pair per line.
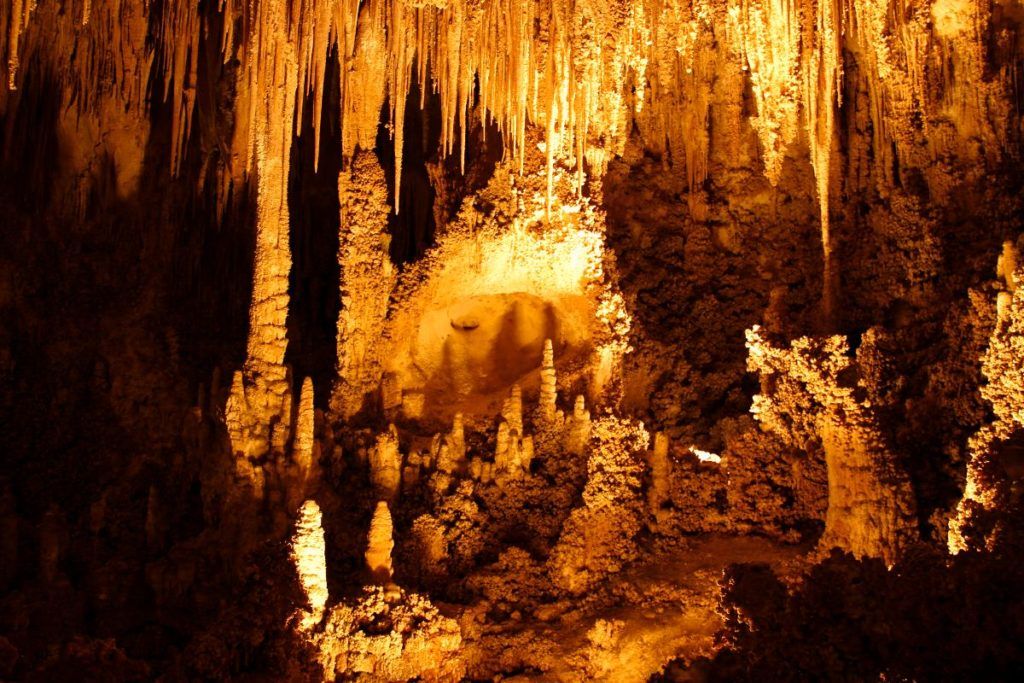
x=571, y=68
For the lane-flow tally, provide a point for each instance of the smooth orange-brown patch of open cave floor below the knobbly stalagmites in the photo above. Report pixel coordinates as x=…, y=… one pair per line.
x=661, y=609
